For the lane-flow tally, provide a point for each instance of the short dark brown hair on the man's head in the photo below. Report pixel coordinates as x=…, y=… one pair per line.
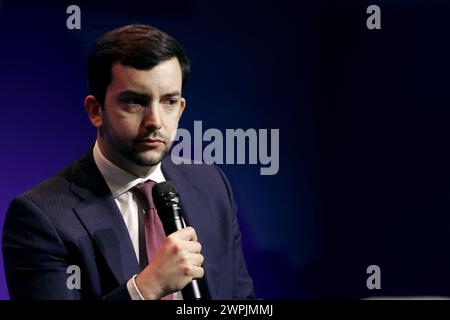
x=138, y=46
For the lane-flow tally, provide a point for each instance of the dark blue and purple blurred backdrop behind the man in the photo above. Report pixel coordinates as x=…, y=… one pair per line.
x=363, y=115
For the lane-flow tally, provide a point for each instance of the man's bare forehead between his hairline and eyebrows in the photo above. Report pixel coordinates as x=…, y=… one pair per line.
x=165, y=76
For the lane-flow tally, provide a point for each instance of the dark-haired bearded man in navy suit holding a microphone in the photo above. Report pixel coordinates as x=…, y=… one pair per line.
x=91, y=214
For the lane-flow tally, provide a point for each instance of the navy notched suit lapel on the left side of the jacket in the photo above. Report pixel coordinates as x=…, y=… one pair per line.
x=102, y=219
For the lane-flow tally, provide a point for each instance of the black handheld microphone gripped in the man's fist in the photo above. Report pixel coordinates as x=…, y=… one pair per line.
x=167, y=203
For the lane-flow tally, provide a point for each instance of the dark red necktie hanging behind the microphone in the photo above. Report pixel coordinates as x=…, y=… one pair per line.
x=153, y=228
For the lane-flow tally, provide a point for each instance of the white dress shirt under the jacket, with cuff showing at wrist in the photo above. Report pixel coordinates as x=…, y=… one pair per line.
x=120, y=182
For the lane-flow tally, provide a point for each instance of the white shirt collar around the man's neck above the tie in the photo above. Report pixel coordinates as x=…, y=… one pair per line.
x=118, y=180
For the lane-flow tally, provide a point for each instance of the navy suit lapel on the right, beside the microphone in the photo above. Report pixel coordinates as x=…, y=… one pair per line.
x=195, y=209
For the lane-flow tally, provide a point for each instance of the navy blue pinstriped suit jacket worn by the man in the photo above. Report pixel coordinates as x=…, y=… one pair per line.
x=72, y=219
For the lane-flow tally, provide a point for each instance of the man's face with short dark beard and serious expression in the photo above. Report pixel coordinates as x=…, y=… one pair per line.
x=141, y=112
